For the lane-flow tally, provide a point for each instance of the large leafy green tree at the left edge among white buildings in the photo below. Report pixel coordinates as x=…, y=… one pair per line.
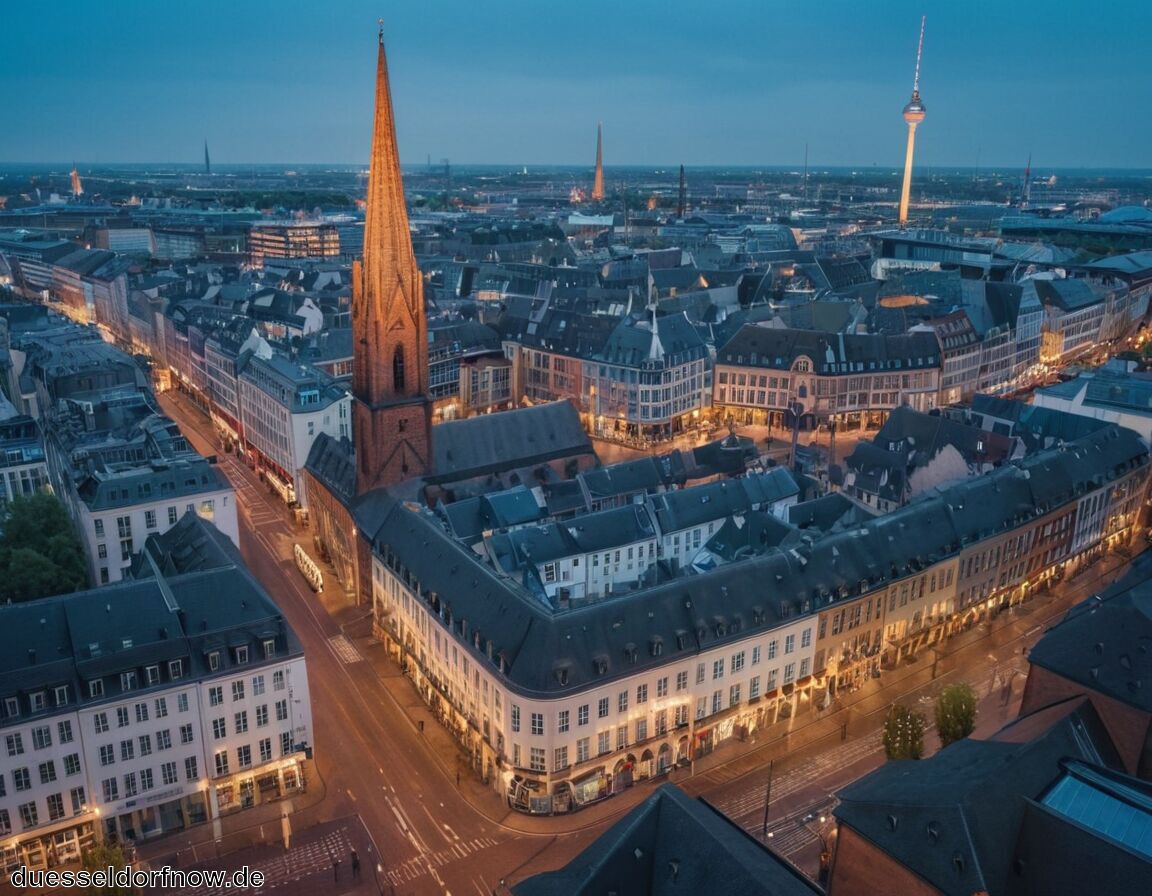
x=40, y=551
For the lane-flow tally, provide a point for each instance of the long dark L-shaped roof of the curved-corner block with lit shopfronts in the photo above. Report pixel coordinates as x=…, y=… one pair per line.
x=605, y=640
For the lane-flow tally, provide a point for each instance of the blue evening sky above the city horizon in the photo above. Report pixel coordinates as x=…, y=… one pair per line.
x=524, y=82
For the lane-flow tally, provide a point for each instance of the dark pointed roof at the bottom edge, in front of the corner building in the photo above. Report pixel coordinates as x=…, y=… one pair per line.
x=672, y=845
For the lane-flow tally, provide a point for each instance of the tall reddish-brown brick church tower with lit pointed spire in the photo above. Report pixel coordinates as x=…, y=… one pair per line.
x=392, y=415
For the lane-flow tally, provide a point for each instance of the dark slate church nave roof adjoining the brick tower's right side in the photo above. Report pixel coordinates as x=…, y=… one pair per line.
x=483, y=445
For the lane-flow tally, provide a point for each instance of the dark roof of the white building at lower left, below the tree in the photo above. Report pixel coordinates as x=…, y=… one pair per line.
x=190, y=599
